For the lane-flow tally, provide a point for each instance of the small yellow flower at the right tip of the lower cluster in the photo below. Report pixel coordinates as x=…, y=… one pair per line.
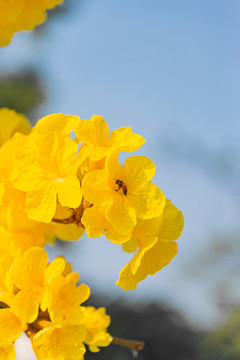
x=96, y=322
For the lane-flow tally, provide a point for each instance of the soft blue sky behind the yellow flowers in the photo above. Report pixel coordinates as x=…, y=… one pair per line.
x=170, y=69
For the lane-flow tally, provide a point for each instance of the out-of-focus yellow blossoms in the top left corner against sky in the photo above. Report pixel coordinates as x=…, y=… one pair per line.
x=17, y=15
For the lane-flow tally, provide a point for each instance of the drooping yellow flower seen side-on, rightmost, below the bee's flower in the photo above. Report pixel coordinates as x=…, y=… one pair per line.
x=155, y=245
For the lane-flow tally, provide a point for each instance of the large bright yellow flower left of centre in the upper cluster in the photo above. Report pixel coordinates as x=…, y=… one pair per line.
x=47, y=171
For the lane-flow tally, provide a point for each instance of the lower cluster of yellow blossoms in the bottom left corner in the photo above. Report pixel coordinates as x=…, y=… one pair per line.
x=43, y=299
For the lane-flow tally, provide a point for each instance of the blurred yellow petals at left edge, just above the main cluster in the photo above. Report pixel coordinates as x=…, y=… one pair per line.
x=12, y=122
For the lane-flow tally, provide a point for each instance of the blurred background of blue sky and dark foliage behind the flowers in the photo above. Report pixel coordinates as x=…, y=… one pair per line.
x=169, y=69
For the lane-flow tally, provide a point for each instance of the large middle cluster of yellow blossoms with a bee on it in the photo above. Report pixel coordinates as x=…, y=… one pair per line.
x=64, y=177
